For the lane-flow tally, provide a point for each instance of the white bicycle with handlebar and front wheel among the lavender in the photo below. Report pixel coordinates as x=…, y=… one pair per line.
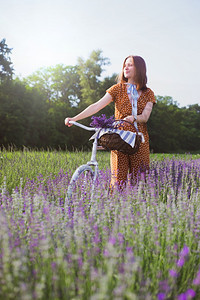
x=84, y=177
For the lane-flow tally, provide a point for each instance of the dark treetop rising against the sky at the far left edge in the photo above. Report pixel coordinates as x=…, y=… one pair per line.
x=6, y=69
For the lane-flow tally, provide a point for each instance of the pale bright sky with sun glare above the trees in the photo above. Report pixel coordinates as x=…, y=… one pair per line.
x=166, y=34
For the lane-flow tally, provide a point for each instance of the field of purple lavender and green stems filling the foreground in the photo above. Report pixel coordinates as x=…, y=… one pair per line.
x=142, y=243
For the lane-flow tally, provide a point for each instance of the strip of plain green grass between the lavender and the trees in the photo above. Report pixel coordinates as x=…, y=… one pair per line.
x=18, y=166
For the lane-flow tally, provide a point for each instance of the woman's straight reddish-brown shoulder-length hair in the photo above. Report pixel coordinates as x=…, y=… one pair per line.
x=141, y=77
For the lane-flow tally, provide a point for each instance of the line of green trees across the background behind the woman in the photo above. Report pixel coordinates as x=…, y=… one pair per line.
x=33, y=109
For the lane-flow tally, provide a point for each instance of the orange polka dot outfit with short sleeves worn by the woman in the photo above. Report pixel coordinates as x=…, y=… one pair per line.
x=122, y=164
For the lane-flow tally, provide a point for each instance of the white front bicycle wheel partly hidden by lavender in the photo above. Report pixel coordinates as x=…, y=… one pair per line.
x=82, y=183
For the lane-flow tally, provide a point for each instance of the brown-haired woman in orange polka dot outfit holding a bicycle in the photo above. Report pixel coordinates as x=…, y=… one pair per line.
x=133, y=72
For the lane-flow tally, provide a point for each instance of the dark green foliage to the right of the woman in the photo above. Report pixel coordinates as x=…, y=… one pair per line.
x=174, y=129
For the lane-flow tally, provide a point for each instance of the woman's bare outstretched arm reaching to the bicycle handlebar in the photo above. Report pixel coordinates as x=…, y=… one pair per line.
x=91, y=110
